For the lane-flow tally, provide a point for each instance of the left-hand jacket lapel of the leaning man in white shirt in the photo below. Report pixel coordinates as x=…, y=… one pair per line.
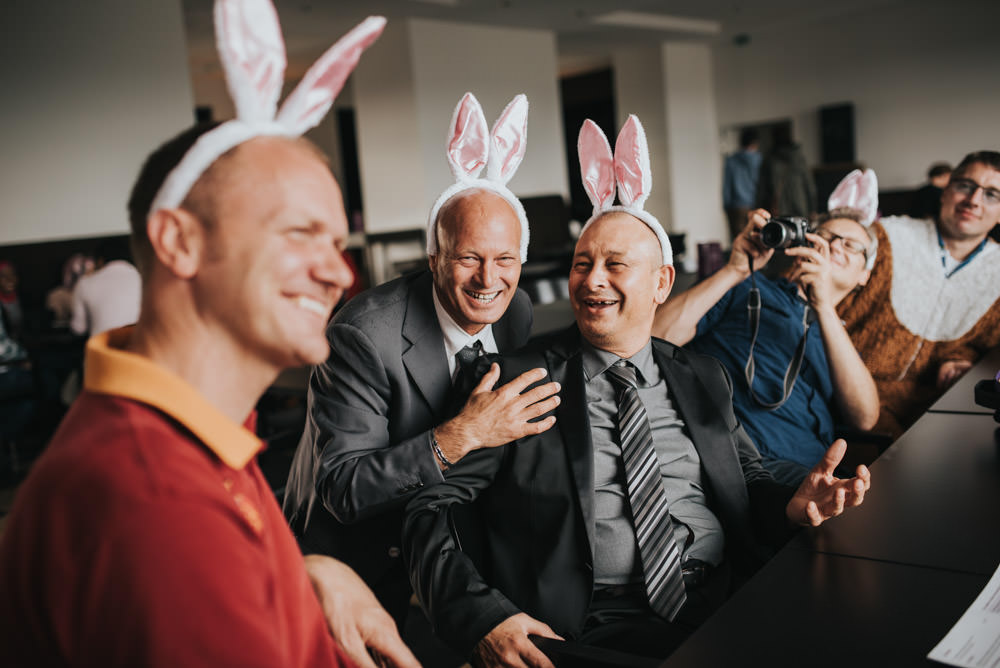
x=425, y=358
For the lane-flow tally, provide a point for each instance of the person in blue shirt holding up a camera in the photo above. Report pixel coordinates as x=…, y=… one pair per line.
x=805, y=374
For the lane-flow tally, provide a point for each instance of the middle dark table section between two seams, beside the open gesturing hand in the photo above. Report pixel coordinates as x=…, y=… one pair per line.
x=934, y=501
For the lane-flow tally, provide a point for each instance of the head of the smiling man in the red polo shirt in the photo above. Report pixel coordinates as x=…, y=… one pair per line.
x=260, y=263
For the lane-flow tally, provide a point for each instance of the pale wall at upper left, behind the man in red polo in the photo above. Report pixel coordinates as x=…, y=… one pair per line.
x=89, y=89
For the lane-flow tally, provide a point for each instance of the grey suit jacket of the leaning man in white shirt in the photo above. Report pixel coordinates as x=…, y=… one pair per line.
x=366, y=446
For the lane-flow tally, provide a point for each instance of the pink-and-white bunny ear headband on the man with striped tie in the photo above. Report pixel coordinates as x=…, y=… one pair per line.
x=629, y=168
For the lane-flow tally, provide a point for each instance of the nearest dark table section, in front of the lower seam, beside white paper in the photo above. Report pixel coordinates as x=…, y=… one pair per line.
x=811, y=609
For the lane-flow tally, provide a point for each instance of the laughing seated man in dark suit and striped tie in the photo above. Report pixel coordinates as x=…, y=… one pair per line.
x=567, y=554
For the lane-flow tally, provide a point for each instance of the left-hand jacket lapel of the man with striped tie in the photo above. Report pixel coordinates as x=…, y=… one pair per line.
x=573, y=421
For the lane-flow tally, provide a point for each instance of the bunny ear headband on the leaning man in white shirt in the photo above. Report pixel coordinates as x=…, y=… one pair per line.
x=470, y=147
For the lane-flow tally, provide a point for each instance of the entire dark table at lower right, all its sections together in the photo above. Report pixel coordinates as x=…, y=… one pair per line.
x=882, y=585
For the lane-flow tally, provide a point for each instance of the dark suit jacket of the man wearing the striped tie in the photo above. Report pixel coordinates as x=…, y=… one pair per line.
x=536, y=499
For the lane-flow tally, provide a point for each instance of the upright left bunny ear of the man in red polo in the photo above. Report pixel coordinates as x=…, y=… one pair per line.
x=253, y=56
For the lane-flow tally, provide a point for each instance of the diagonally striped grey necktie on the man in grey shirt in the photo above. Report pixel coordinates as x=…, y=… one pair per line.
x=654, y=531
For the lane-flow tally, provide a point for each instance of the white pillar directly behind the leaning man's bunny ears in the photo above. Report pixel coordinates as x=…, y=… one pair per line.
x=406, y=89
